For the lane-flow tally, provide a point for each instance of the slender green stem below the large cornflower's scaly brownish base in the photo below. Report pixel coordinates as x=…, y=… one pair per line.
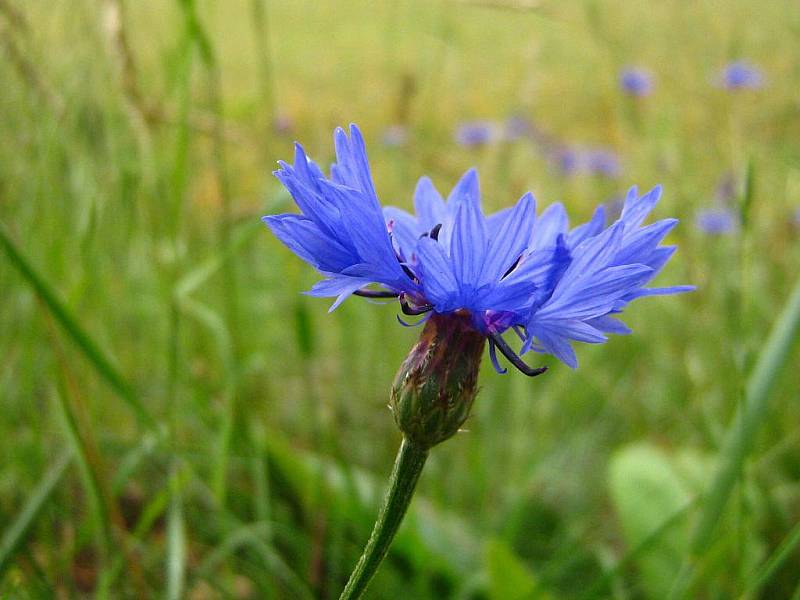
x=407, y=469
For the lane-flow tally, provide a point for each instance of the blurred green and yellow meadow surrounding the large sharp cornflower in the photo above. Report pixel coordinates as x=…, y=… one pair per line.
x=179, y=421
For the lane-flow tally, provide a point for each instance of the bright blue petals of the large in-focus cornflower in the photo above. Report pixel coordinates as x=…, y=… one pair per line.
x=511, y=270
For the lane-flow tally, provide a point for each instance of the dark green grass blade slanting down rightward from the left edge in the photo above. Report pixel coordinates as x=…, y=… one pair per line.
x=76, y=332
